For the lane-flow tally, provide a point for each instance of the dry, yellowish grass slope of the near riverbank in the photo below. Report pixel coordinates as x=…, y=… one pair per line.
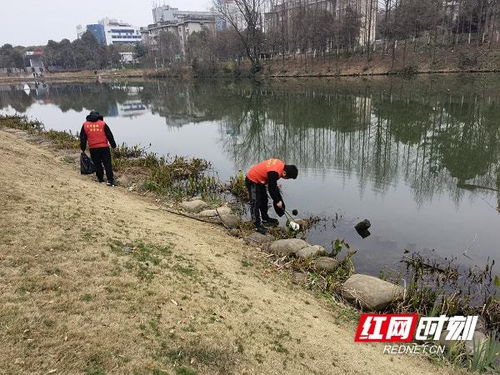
x=100, y=280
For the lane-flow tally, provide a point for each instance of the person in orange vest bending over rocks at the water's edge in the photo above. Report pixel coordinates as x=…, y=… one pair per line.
x=267, y=173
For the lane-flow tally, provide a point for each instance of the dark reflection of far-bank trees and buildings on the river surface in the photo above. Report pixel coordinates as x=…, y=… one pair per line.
x=439, y=137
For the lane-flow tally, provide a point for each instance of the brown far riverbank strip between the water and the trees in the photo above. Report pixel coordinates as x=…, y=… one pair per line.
x=461, y=59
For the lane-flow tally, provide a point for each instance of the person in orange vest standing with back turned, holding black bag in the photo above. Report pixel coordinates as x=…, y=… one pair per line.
x=98, y=135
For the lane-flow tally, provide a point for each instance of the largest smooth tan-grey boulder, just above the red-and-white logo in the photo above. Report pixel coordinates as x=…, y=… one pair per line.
x=371, y=292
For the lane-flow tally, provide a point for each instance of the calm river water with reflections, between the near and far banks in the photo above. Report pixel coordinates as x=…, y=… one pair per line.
x=419, y=158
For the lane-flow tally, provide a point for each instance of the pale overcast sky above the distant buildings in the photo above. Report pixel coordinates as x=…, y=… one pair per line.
x=34, y=22
